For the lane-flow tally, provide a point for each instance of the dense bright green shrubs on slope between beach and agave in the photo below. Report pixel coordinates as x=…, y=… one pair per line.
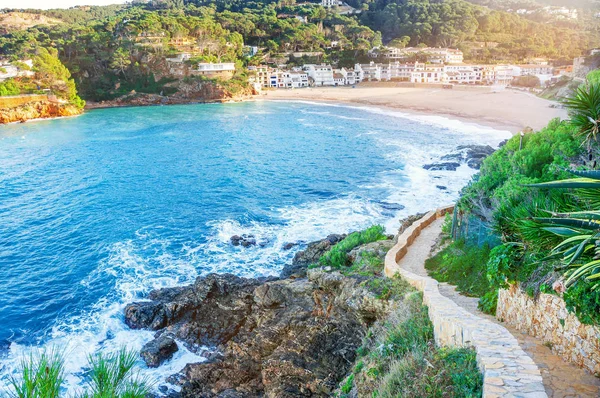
x=499, y=195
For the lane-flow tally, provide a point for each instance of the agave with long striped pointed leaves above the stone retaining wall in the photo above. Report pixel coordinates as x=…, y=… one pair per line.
x=580, y=230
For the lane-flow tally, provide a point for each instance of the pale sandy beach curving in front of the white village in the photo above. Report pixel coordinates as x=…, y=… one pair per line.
x=507, y=110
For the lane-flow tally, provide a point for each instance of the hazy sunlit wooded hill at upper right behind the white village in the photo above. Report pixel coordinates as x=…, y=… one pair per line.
x=456, y=23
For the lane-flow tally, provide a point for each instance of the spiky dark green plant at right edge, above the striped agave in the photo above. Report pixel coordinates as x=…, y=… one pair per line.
x=584, y=111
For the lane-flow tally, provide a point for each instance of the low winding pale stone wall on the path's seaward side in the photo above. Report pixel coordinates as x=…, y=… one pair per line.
x=507, y=370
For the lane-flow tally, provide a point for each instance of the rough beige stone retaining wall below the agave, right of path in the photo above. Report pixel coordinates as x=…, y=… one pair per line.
x=547, y=319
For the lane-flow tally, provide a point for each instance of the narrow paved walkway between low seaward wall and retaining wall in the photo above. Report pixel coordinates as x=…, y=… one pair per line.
x=561, y=379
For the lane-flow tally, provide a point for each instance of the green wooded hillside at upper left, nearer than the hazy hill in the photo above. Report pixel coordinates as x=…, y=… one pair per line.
x=124, y=48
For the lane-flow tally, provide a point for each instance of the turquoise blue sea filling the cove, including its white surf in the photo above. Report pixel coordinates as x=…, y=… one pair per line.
x=96, y=211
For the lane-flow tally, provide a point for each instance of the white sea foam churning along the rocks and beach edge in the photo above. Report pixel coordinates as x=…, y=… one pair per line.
x=146, y=262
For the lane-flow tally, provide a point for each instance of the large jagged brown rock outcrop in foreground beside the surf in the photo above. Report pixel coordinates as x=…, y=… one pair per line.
x=292, y=336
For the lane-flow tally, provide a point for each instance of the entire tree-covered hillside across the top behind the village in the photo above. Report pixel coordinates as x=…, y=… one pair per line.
x=114, y=50
